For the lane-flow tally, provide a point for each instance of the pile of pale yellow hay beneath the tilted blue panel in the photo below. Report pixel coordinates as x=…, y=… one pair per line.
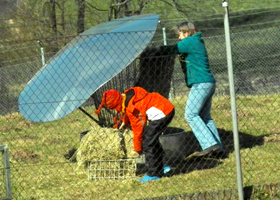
x=105, y=144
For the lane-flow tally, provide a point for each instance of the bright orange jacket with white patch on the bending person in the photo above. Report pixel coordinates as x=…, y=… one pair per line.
x=144, y=106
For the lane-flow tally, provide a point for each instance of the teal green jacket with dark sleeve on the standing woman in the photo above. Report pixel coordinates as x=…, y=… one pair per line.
x=195, y=59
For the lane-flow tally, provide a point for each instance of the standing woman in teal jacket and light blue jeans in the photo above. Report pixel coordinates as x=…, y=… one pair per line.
x=202, y=84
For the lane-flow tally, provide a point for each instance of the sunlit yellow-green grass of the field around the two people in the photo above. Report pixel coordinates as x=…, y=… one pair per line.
x=39, y=169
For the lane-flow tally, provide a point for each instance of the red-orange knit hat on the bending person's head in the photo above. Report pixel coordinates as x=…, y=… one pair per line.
x=112, y=99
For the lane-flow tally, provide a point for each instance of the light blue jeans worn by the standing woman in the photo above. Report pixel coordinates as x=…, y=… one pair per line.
x=197, y=114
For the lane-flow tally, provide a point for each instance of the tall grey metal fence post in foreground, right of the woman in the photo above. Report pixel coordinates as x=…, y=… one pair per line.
x=233, y=103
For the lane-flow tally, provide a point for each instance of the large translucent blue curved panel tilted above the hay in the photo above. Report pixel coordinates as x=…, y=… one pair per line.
x=84, y=65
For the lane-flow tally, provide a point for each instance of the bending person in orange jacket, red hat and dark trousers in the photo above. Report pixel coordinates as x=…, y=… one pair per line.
x=148, y=115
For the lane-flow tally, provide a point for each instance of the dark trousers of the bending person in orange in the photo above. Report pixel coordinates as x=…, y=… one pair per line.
x=151, y=146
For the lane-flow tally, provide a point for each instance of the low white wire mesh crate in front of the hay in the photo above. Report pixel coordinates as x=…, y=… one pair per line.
x=111, y=169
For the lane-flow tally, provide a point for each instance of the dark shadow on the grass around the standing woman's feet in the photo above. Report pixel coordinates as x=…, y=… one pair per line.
x=180, y=164
